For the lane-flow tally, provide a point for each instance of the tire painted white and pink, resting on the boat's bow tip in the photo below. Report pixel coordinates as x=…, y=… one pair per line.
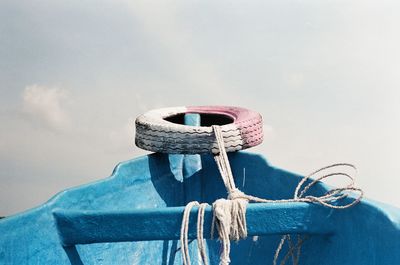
x=155, y=133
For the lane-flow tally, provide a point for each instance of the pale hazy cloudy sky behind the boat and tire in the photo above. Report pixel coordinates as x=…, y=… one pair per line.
x=74, y=75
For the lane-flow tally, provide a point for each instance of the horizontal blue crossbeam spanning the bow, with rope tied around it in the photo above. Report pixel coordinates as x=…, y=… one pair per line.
x=85, y=227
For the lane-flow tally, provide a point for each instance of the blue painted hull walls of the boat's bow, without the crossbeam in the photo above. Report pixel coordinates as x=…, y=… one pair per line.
x=367, y=234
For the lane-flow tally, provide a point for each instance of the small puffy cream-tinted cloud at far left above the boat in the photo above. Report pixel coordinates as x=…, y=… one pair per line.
x=44, y=105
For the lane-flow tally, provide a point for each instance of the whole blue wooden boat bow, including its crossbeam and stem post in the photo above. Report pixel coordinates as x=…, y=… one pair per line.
x=135, y=216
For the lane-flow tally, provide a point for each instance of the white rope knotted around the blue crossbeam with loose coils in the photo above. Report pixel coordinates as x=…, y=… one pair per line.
x=229, y=215
